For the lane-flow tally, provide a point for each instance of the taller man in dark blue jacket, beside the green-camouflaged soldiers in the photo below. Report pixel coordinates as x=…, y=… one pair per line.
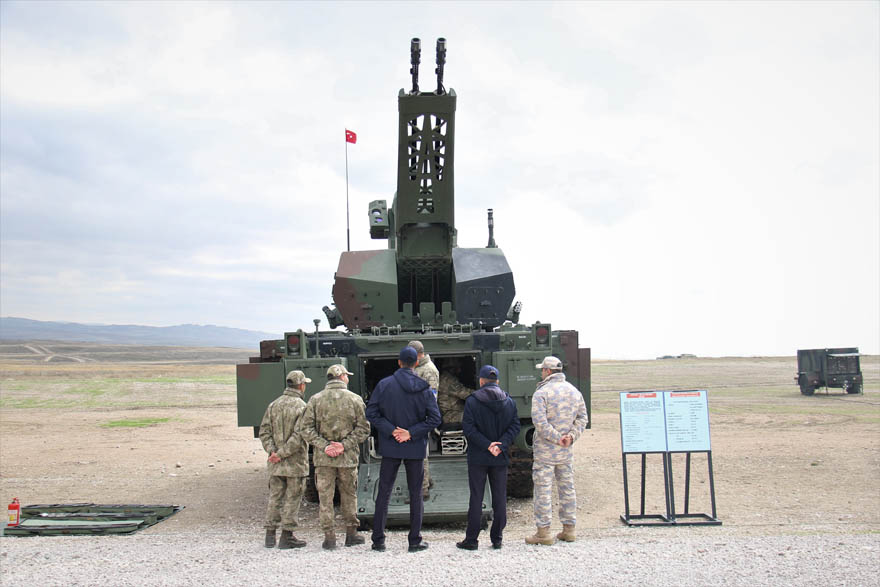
x=403, y=410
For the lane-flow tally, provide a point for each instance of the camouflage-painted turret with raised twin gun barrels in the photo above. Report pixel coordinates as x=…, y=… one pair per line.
x=423, y=278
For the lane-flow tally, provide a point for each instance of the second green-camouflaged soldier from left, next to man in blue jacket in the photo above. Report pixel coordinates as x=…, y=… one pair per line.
x=335, y=425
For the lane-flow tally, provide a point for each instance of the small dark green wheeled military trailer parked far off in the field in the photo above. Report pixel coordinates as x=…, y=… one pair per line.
x=829, y=368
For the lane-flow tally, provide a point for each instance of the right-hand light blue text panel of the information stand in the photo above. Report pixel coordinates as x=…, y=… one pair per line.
x=687, y=421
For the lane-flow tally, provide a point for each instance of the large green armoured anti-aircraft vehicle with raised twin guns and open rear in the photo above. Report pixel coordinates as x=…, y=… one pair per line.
x=459, y=302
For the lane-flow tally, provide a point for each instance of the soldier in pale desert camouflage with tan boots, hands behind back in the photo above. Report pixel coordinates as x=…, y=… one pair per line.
x=560, y=416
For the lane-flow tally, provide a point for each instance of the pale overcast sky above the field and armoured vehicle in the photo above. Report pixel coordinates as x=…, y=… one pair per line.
x=666, y=177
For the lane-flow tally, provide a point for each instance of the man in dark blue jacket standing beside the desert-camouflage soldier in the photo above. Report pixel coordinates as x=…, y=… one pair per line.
x=490, y=424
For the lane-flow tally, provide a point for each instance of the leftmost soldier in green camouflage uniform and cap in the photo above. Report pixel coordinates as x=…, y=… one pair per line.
x=288, y=461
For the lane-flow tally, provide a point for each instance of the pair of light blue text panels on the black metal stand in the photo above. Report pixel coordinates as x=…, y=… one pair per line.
x=664, y=421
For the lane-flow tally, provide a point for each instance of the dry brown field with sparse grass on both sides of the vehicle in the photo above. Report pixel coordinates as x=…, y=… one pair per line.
x=119, y=424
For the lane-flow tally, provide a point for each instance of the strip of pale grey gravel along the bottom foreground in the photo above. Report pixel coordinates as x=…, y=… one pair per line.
x=636, y=556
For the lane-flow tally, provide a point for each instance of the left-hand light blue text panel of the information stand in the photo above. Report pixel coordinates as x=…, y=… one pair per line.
x=642, y=423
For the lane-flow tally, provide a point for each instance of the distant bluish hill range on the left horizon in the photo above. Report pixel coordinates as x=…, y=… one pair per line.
x=181, y=335
